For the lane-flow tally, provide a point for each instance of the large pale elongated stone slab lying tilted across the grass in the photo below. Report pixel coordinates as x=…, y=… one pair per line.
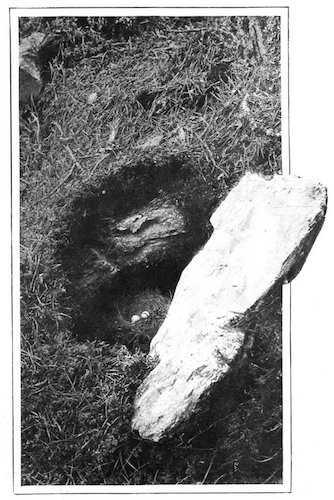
x=263, y=232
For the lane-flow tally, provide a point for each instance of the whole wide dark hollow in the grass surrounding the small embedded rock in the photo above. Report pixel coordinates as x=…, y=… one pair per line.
x=89, y=250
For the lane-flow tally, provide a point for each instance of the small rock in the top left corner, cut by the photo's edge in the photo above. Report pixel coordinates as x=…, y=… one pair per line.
x=30, y=76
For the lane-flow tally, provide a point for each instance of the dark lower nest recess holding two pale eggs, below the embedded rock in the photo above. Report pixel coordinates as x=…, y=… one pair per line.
x=108, y=316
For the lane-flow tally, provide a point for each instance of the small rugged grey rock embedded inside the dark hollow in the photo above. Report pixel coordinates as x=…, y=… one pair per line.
x=146, y=236
